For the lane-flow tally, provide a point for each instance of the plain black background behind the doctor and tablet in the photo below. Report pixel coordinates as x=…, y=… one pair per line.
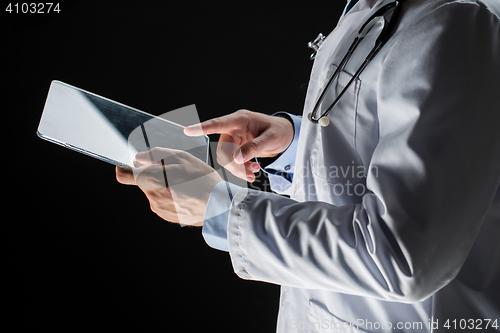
x=80, y=251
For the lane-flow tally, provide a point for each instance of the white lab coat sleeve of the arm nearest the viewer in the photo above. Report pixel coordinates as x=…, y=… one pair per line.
x=437, y=170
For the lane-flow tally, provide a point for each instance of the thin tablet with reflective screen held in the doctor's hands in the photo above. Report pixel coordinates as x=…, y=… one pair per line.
x=108, y=130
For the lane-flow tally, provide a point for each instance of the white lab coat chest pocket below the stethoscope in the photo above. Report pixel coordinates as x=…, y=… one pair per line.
x=334, y=158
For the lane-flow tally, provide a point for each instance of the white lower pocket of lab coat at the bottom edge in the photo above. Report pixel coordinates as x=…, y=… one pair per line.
x=319, y=319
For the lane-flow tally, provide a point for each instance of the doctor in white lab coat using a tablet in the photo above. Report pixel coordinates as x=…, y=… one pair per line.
x=393, y=219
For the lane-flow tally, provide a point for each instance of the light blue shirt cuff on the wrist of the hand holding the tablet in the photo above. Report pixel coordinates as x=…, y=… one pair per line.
x=217, y=213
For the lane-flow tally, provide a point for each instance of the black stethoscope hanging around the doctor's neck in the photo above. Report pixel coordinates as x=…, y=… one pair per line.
x=323, y=120
